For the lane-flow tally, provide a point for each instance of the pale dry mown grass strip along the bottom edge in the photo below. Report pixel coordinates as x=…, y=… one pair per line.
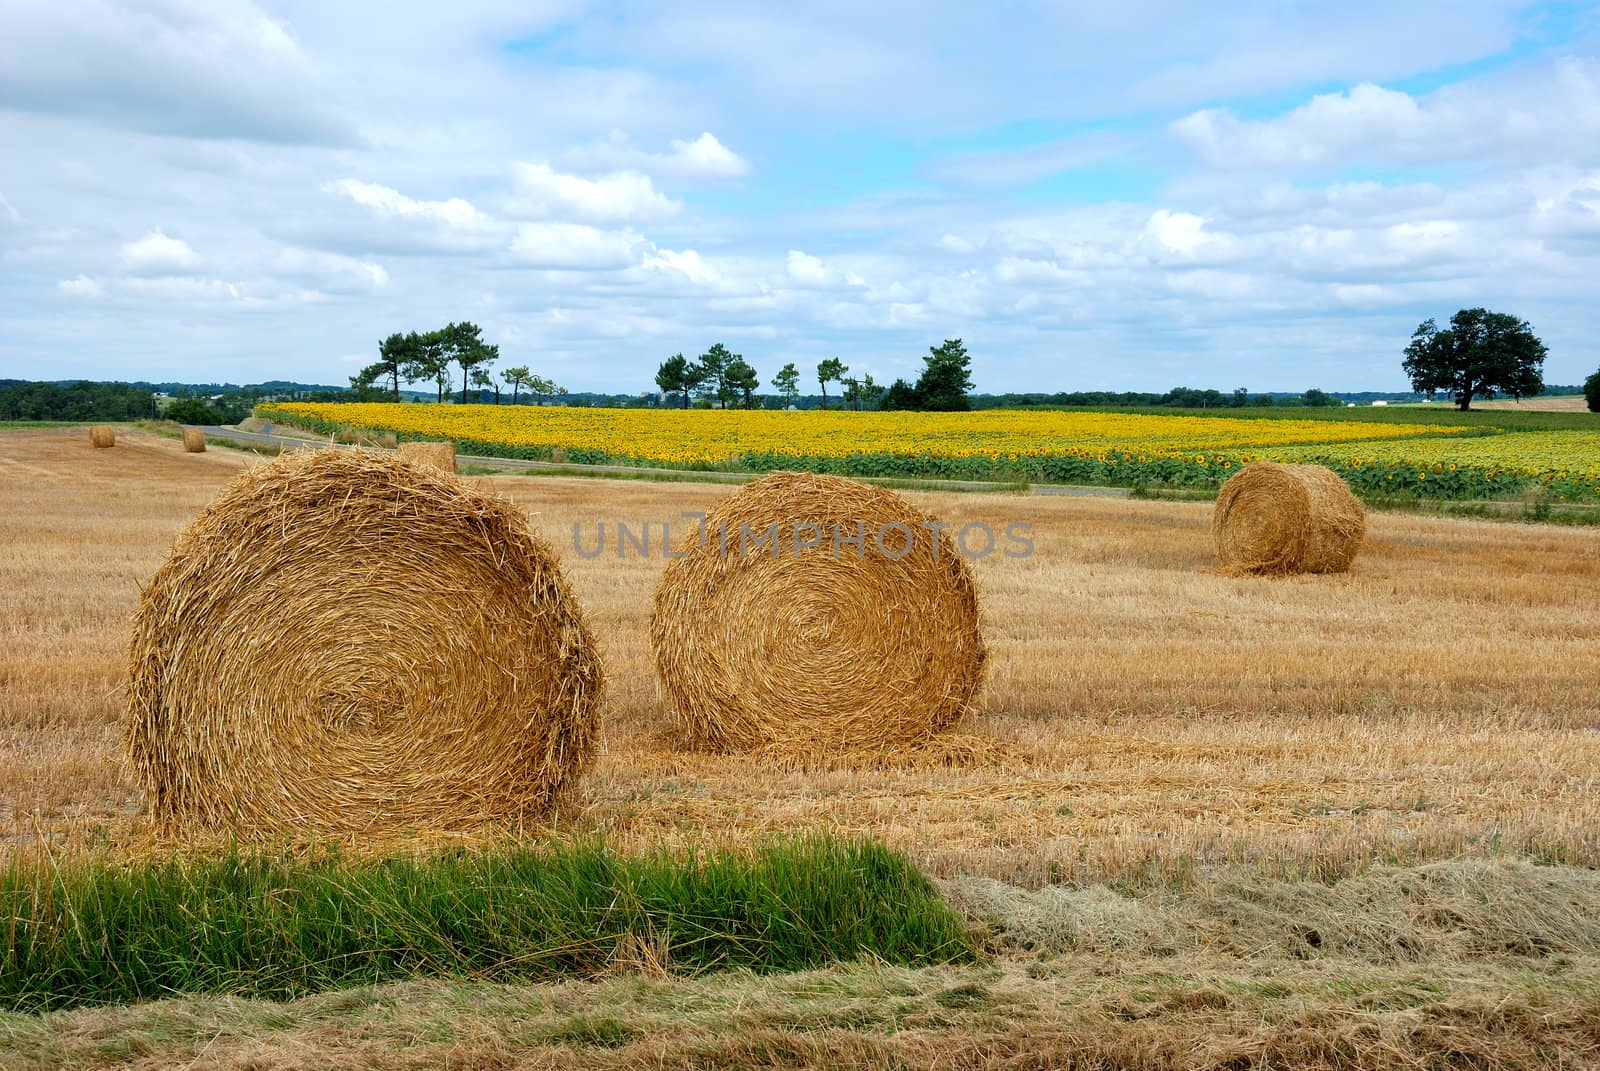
x=1450, y=966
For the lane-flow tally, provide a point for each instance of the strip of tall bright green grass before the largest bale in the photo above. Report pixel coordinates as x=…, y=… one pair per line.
x=284, y=926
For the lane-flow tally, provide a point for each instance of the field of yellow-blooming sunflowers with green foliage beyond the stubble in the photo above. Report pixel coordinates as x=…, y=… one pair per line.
x=1377, y=451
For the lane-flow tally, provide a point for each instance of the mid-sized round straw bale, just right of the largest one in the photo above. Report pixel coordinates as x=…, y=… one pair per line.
x=833, y=646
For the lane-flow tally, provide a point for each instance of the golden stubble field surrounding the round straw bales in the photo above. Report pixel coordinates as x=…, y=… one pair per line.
x=1145, y=716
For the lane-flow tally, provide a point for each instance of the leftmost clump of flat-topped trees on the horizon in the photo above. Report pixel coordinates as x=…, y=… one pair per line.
x=434, y=356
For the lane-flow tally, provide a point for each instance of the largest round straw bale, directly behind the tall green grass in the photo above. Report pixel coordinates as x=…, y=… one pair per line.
x=354, y=644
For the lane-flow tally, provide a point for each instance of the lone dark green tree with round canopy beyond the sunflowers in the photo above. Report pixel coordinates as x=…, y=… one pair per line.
x=1479, y=355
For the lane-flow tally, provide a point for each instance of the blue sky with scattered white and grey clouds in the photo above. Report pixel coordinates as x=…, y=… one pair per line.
x=1126, y=196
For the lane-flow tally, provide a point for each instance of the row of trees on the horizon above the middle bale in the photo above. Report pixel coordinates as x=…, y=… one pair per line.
x=726, y=379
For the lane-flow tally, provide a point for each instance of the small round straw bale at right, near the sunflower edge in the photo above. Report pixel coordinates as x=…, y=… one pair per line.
x=1276, y=519
